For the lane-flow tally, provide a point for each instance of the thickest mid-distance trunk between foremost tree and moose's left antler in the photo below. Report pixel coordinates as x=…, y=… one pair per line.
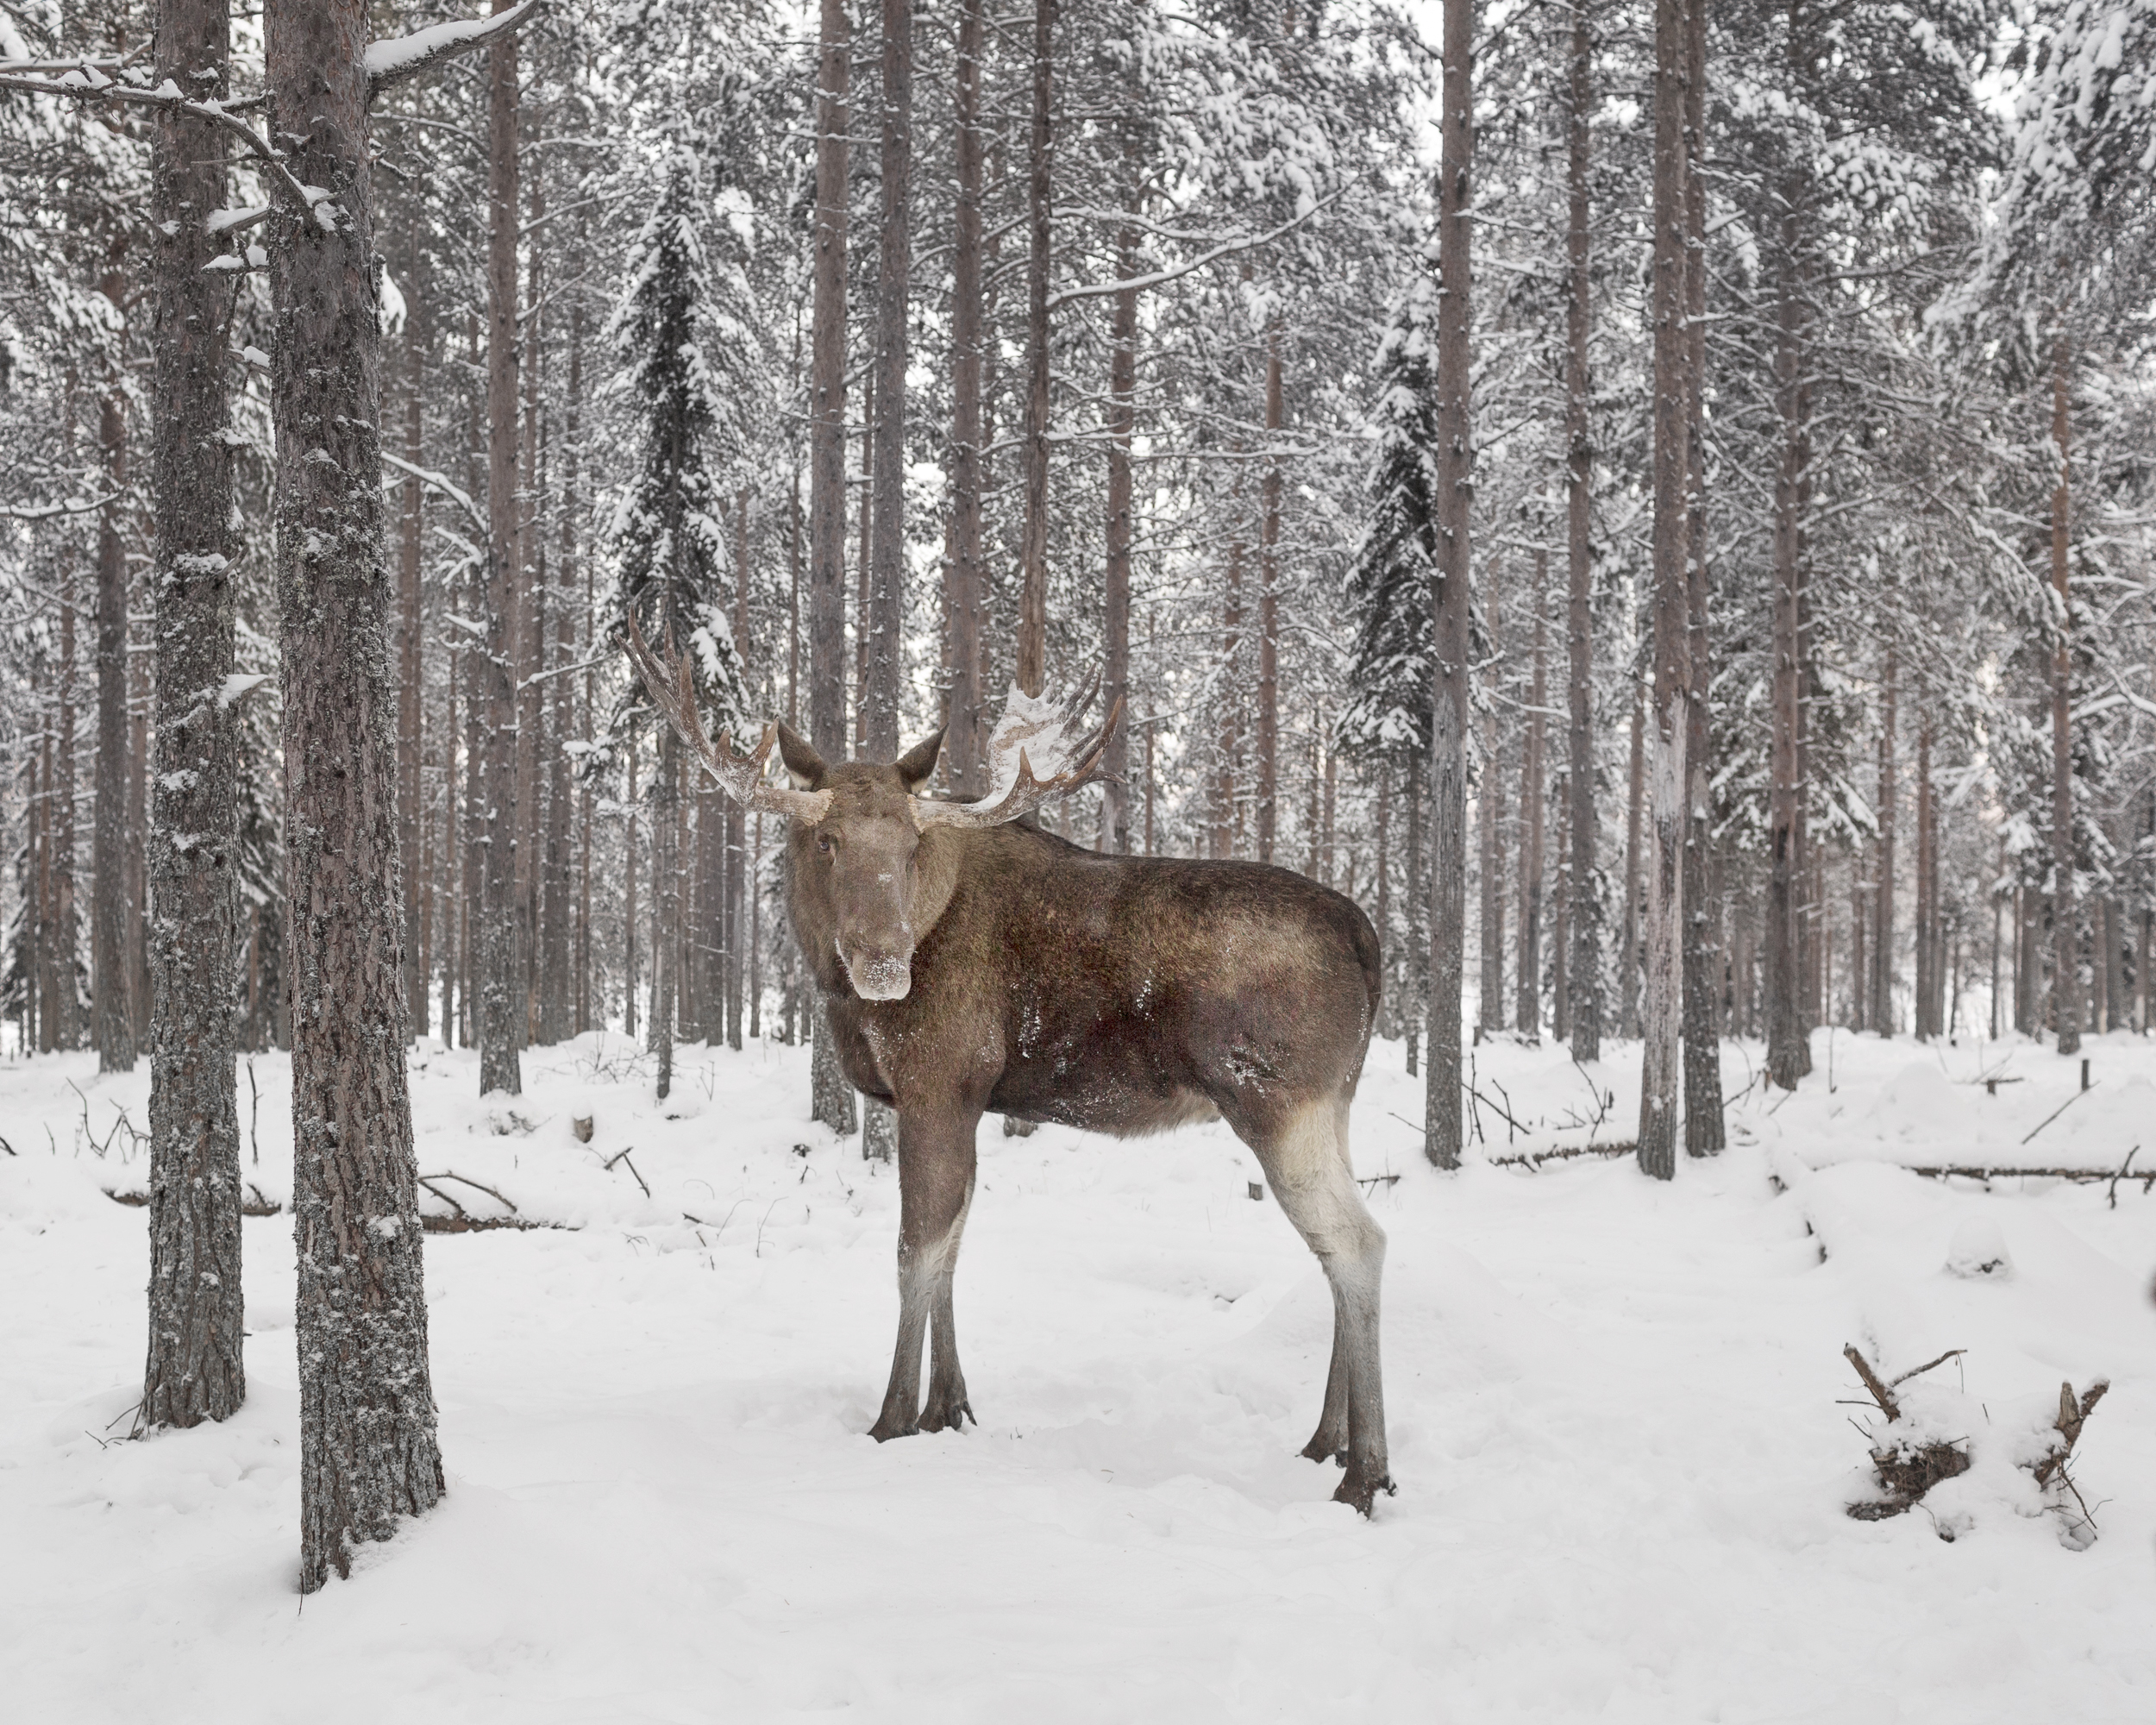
x=501, y=999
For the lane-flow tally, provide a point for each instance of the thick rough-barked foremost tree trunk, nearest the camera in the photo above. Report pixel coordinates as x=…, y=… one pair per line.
x=368, y=1424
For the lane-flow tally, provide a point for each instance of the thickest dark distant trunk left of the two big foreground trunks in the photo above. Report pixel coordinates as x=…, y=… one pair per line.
x=111, y=958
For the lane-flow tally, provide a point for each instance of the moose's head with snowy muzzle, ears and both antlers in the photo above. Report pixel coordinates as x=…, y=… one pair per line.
x=868, y=855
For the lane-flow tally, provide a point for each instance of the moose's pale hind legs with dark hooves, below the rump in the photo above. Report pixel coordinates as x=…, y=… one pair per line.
x=1314, y=1183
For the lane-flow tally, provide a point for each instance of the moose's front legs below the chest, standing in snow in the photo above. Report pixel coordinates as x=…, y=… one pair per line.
x=937, y=1165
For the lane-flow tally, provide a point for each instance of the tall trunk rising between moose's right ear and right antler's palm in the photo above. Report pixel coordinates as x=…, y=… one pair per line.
x=965, y=577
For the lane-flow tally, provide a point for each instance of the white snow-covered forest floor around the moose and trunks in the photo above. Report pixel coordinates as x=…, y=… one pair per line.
x=1616, y=1407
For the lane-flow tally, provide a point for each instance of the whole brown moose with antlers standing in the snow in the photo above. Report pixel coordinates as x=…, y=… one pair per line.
x=971, y=963
